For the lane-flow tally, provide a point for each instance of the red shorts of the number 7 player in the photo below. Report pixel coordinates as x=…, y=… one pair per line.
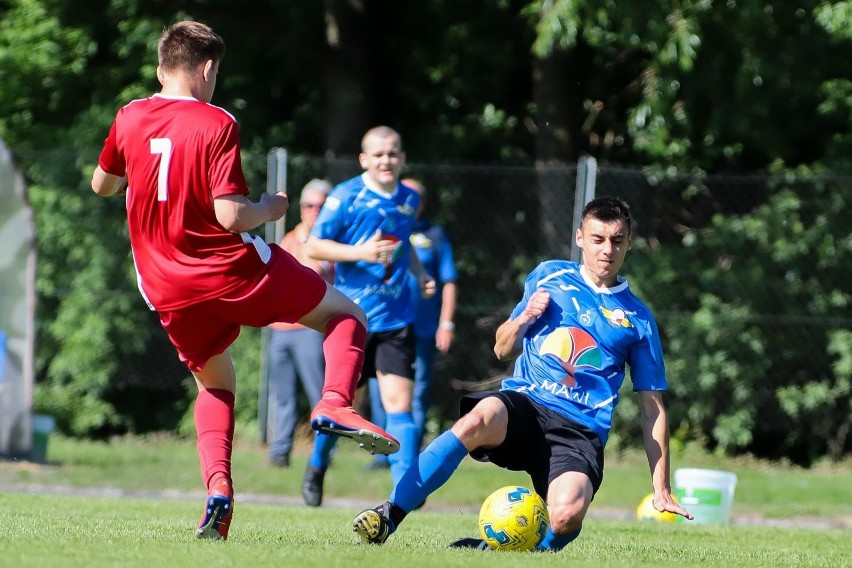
x=288, y=291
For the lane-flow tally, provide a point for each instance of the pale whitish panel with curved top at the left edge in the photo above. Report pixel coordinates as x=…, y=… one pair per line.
x=17, y=307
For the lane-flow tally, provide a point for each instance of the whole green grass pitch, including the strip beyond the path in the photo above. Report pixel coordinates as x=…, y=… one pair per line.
x=135, y=501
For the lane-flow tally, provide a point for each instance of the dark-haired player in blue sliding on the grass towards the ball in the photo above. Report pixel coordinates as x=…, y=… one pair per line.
x=574, y=331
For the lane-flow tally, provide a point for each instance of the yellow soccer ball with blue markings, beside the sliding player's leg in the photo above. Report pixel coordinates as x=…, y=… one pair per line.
x=513, y=518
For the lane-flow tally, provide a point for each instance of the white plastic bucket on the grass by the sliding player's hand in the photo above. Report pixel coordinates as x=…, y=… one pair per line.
x=706, y=493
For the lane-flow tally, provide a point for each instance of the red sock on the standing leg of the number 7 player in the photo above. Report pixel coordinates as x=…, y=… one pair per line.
x=214, y=424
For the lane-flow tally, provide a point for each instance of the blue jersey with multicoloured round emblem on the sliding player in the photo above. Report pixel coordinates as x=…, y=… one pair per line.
x=574, y=355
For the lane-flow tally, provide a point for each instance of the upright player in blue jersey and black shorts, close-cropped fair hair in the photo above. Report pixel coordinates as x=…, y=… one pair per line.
x=364, y=228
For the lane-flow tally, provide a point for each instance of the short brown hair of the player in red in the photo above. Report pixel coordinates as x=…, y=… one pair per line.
x=186, y=45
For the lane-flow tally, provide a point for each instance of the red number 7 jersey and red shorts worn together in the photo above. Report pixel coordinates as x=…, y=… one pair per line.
x=178, y=154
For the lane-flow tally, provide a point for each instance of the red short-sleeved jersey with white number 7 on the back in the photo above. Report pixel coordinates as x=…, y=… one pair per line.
x=178, y=154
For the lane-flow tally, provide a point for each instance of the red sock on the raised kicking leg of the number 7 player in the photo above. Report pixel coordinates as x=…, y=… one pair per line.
x=343, y=347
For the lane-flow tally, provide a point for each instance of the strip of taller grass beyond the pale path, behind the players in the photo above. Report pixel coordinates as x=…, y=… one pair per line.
x=162, y=463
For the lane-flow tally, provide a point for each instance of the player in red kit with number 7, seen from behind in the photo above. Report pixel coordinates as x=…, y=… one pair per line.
x=177, y=157
